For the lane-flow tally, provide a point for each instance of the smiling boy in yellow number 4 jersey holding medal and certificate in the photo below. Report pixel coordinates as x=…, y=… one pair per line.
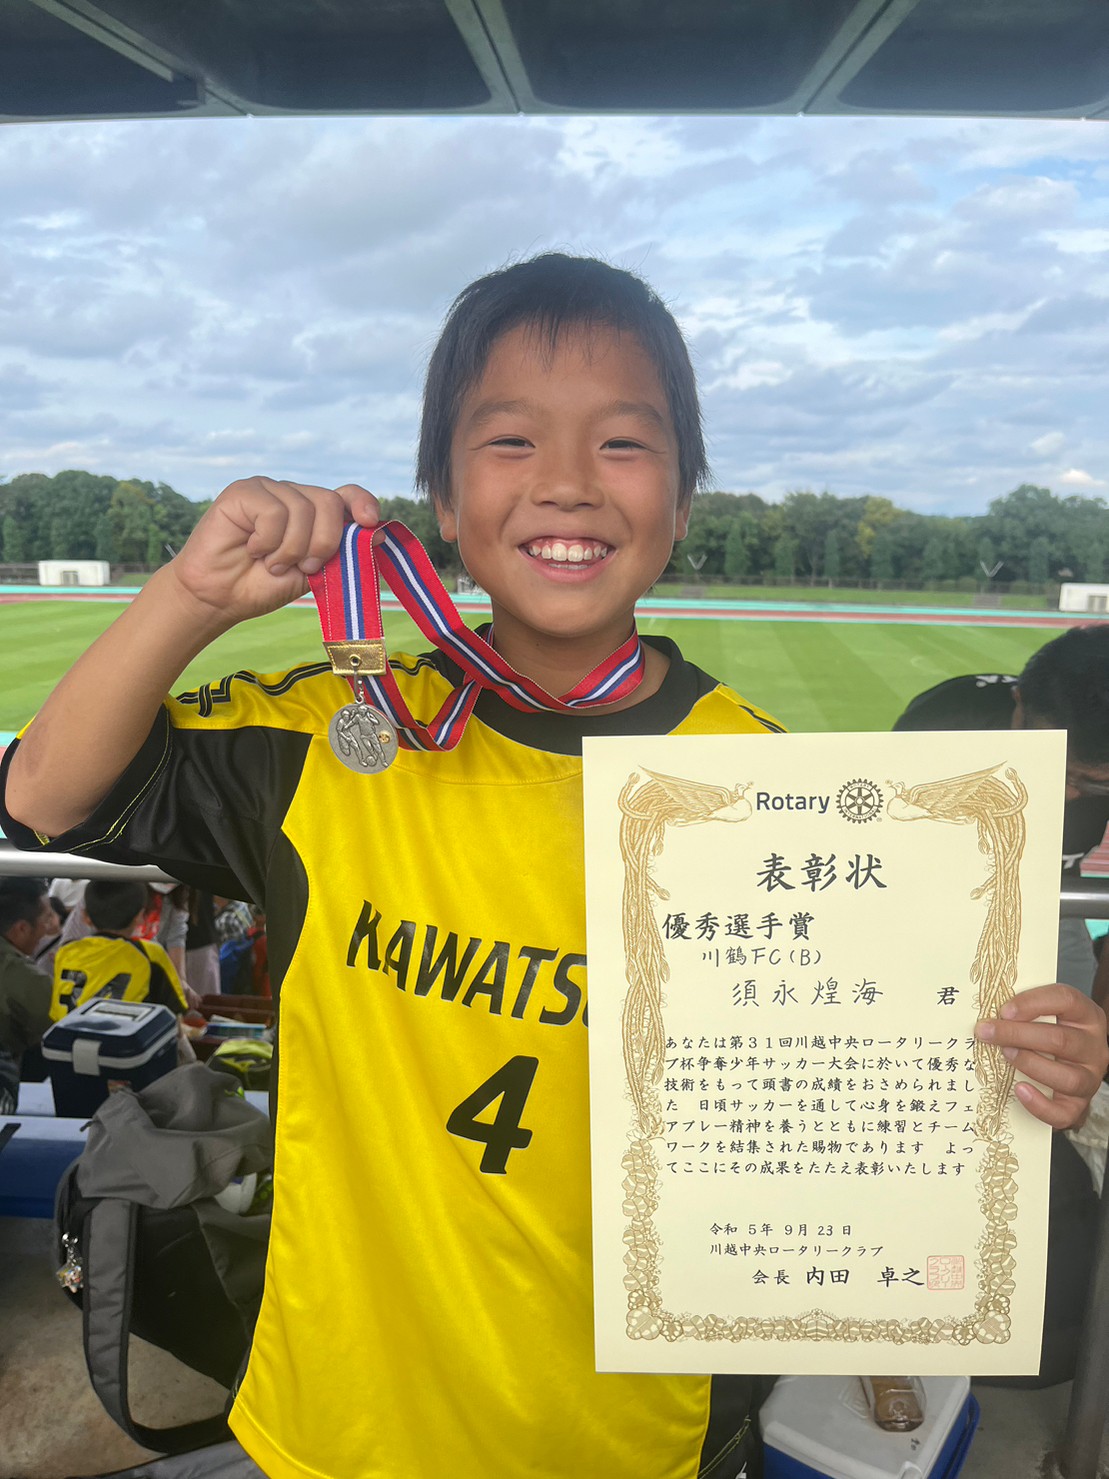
x=428, y=1305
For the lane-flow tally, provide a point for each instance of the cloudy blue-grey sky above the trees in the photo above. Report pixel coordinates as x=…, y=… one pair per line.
x=913, y=308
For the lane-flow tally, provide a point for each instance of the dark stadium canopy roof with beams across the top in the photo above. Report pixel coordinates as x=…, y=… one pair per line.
x=203, y=58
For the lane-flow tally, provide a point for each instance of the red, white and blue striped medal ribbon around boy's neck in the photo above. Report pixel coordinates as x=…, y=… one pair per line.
x=348, y=597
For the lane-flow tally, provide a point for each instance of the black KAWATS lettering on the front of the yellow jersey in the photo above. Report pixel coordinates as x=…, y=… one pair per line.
x=505, y=980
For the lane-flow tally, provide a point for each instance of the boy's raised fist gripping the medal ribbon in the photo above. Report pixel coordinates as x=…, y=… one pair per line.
x=260, y=542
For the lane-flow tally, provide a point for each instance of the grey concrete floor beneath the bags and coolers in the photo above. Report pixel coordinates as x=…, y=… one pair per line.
x=54, y=1428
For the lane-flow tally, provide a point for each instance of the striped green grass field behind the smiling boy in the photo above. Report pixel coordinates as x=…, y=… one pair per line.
x=811, y=675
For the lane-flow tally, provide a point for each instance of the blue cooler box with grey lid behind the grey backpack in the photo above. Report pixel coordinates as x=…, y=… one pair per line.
x=104, y=1045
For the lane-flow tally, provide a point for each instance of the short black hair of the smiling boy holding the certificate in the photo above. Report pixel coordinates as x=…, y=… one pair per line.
x=549, y=295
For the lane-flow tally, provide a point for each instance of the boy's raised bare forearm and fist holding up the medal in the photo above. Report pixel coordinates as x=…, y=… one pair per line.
x=251, y=554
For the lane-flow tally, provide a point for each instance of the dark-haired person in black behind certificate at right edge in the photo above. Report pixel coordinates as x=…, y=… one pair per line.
x=1065, y=686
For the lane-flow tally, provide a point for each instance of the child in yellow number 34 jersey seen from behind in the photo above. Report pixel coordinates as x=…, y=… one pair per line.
x=113, y=962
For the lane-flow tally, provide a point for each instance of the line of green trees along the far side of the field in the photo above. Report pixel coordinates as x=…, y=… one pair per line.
x=1028, y=536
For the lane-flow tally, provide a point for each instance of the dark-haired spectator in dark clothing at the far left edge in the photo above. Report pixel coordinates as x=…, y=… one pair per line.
x=27, y=919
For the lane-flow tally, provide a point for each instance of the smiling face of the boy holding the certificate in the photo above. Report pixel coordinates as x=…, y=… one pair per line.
x=566, y=489
